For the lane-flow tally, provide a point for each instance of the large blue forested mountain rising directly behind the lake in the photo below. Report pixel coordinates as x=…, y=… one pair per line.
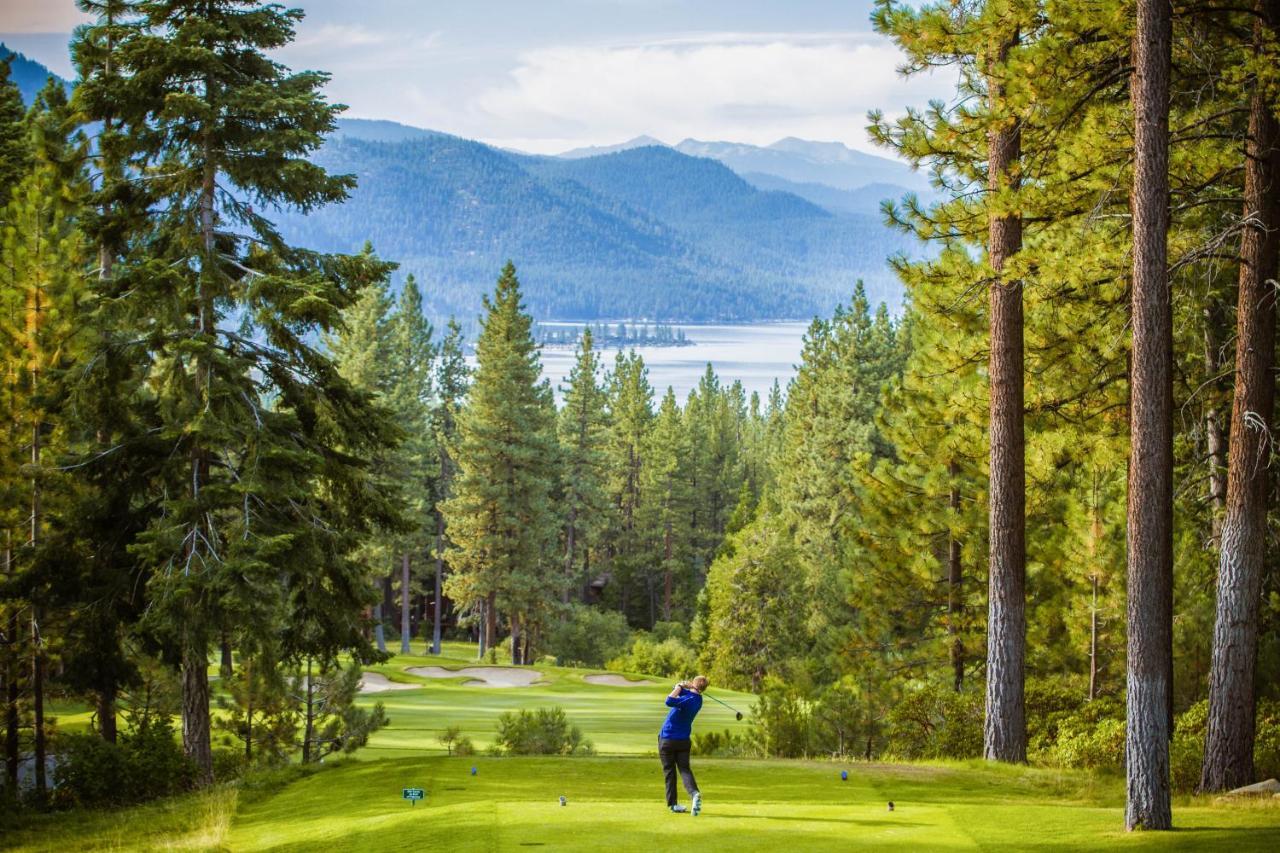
x=646, y=232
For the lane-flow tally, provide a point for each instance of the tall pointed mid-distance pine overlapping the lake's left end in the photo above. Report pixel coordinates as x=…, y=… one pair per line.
x=500, y=518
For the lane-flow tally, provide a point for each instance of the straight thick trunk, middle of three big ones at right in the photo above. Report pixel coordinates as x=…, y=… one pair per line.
x=1151, y=458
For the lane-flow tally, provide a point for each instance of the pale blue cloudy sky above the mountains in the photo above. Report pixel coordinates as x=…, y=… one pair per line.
x=552, y=75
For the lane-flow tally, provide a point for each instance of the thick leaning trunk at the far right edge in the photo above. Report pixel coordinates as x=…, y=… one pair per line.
x=1232, y=701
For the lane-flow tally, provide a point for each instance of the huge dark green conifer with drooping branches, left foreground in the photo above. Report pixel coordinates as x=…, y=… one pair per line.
x=254, y=414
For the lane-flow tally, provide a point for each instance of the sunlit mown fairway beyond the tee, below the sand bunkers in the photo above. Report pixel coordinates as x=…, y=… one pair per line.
x=619, y=720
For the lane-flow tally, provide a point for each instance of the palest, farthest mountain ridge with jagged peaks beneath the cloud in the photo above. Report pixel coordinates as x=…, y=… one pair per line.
x=825, y=163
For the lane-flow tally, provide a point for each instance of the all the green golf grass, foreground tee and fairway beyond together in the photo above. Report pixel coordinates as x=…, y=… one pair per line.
x=616, y=802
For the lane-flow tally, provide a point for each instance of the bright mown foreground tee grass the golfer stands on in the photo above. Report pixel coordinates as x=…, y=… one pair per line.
x=618, y=805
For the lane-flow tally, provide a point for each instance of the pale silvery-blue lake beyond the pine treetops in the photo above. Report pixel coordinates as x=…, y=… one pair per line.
x=753, y=354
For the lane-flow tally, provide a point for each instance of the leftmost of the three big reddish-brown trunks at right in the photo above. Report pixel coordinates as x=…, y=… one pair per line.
x=1005, y=729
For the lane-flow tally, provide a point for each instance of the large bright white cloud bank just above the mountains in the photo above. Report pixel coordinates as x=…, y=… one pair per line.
x=744, y=88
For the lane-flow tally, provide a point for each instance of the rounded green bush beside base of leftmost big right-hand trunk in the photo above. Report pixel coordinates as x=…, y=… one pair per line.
x=935, y=722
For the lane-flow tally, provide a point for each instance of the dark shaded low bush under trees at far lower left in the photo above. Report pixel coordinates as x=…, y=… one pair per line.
x=147, y=764
